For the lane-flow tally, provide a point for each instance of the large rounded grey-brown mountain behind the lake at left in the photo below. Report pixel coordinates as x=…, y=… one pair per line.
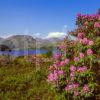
x=20, y=42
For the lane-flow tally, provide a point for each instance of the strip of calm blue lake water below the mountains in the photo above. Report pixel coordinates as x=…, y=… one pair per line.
x=23, y=52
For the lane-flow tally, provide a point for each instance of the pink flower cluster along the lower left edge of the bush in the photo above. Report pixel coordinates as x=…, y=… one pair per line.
x=55, y=69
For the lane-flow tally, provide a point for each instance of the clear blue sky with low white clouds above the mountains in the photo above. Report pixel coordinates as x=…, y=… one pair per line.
x=42, y=18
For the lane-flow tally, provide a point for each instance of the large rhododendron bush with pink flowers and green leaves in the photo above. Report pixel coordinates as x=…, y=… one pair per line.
x=73, y=71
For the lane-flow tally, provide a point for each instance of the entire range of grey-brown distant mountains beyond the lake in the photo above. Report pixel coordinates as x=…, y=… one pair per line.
x=28, y=42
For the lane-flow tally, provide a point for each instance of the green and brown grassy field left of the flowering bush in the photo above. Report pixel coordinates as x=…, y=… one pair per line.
x=20, y=80
